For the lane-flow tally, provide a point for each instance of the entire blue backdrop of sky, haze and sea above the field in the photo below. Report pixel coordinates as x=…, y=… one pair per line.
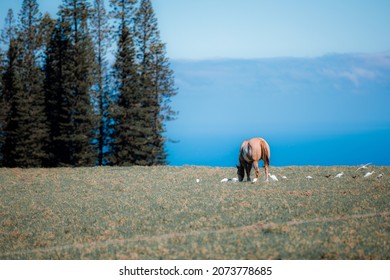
x=282, y=70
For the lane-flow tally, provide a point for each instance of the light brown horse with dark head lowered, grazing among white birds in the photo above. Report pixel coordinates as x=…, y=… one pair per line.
x=251, y=152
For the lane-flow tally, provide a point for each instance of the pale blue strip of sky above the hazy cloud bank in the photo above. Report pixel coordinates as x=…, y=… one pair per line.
x=262, y=28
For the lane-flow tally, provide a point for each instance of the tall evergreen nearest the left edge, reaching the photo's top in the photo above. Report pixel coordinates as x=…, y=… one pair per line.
x=26, y=131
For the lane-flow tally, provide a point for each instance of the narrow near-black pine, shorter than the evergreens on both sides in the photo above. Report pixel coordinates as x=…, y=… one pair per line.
x=58, y=90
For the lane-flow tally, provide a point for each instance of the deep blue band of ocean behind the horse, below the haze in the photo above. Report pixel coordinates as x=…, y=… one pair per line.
x=286, y=150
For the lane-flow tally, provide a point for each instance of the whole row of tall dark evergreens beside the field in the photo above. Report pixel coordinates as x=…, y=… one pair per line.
x=65, y=103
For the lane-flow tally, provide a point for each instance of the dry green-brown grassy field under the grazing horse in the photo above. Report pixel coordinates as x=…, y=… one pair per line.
x=163, y=213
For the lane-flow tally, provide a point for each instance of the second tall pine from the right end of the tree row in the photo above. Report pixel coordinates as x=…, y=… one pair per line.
x=129, y=129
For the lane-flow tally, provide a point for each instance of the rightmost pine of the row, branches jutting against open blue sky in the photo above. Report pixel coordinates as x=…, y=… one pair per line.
x=157, y=82
